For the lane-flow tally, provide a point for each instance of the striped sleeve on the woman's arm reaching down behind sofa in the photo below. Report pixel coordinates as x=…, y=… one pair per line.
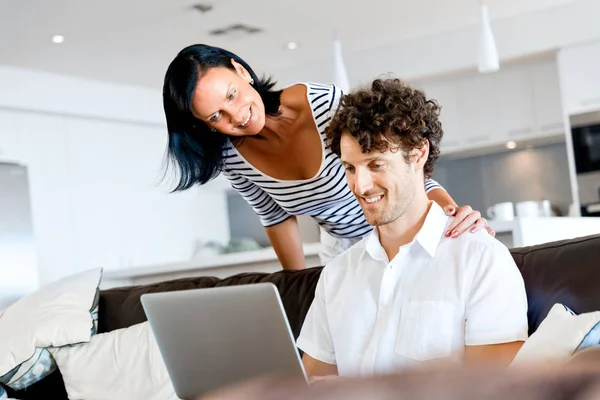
x=267, y=209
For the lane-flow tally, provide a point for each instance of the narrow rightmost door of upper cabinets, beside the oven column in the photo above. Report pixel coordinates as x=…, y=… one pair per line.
x=547, y=101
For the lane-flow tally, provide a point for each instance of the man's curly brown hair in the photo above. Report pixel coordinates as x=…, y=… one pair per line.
x=386, y=115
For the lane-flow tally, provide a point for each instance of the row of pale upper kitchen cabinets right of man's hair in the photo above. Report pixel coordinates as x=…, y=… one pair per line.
x=521, y=102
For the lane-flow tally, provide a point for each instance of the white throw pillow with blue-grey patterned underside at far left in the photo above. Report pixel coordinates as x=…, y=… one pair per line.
x=61, y=313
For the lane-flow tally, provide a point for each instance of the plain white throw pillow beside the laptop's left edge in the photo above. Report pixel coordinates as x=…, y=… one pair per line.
x=122, y=364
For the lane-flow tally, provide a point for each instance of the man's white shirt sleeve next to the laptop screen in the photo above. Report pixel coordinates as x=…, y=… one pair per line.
x=315, y=336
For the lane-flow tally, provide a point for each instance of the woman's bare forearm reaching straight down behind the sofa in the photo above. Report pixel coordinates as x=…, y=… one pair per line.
x=287, y=243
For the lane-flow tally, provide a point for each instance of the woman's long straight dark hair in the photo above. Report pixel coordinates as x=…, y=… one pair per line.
x=194, y=149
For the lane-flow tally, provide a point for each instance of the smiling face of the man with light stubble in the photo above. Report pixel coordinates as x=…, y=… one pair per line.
x=384, y=183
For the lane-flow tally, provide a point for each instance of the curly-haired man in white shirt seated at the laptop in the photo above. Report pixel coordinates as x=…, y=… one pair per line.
x=406, y=293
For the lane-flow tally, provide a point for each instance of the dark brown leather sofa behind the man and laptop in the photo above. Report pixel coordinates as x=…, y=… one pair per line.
x=566, y=272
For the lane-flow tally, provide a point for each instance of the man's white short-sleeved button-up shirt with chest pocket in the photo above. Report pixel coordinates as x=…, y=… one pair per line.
x=371, y=315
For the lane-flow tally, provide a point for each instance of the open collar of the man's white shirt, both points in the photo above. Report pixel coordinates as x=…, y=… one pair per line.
x=428, y=237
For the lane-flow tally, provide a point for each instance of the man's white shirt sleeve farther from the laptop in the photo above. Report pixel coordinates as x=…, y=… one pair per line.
x=496, y=307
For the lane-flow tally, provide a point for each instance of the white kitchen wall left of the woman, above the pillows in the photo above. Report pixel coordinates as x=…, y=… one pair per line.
x=94, y=154
